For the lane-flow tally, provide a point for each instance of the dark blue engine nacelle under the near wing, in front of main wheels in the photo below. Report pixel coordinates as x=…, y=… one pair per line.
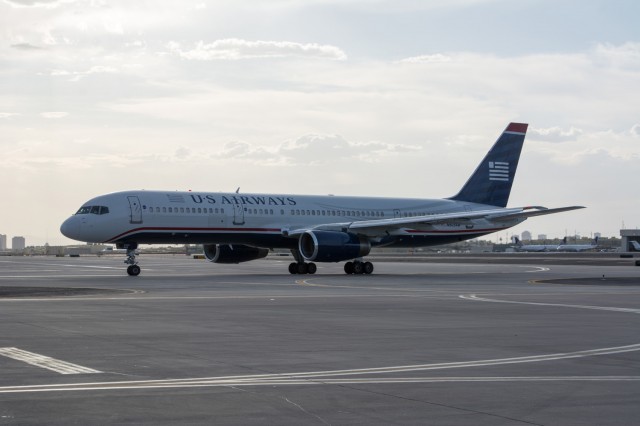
x=332, y=246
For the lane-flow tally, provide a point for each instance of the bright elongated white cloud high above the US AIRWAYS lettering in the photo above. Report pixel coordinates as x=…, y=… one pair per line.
x=235, y=49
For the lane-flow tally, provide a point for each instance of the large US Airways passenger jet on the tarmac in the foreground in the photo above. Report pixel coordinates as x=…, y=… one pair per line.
x=235, y=227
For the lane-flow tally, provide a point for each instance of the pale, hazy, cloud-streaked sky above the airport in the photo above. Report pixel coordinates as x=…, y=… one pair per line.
x=397, y=98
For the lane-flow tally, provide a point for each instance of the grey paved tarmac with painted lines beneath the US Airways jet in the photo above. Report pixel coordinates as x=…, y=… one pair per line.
x=460, y=342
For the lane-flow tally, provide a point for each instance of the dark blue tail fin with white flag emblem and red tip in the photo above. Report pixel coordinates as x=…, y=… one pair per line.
x=491, y=182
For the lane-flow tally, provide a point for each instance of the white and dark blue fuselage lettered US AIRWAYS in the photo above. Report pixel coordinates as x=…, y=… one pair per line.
x=263, y=220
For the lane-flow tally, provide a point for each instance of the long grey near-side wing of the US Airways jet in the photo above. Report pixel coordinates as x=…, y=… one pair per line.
x=385, y=226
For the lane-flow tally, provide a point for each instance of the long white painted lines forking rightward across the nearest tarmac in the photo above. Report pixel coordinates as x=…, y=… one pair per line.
x=329, y=377
